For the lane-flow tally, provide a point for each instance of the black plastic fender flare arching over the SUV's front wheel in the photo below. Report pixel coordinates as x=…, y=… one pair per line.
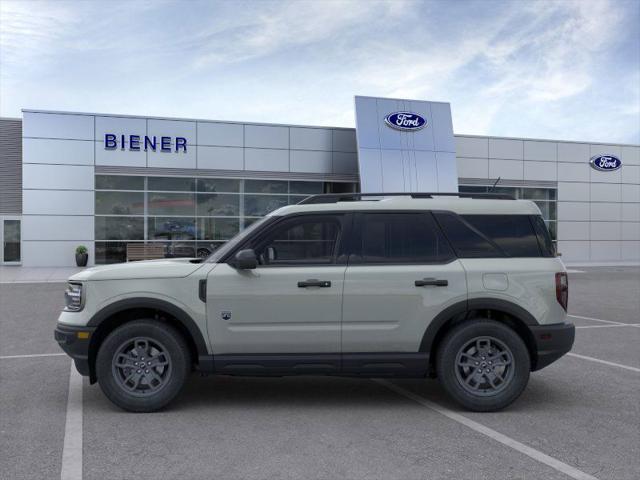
x=155, y=304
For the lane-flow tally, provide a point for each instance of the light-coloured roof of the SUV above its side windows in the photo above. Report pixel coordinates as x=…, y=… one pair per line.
x=453, y=204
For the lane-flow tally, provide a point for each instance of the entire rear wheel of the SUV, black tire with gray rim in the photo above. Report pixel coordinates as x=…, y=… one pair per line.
x=483, y=365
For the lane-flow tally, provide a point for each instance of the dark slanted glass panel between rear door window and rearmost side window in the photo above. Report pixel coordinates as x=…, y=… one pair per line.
x=466, y=242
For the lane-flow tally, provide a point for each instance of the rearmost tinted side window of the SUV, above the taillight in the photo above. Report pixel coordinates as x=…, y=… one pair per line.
x=514, y=234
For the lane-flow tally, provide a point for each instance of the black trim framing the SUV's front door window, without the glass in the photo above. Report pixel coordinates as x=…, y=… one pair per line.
x=344, y=219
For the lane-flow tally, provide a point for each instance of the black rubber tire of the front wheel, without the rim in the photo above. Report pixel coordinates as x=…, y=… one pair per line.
x=177, y=350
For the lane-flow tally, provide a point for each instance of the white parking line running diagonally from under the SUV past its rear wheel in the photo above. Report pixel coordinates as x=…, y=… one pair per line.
x=493, y=434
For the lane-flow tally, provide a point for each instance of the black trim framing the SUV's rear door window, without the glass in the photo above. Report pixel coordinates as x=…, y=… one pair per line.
x=356, y=234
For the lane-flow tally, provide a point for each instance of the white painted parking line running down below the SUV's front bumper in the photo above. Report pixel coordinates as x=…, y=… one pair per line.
x=72, y=447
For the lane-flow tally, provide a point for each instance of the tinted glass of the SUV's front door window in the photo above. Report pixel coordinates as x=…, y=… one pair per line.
x=304, y=240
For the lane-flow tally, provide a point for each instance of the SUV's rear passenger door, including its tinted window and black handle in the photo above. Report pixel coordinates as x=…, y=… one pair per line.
x=401, y=274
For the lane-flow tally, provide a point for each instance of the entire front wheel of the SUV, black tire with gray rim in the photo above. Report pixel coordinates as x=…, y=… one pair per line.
x=153, y=385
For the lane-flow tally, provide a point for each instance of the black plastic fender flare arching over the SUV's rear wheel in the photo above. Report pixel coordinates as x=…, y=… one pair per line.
x=463, y=308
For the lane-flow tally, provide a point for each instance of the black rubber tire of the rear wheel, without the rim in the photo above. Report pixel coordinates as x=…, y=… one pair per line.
x=462, y=334
